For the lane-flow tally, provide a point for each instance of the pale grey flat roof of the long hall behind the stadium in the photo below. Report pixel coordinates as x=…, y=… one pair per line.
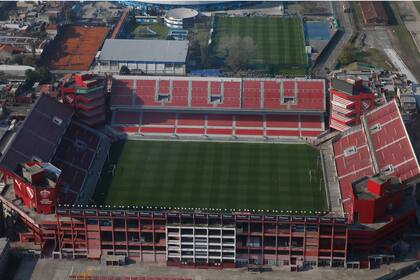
x=144, y=50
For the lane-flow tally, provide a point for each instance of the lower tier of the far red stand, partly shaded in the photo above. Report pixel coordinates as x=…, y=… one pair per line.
x=214, y=124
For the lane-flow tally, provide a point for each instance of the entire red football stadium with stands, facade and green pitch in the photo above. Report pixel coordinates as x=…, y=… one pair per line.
x=211, y=172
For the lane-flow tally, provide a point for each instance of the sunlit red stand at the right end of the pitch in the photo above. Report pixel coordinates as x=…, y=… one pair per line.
x=379, y=145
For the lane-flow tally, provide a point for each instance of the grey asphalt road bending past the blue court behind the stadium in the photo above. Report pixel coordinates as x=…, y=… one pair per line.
x=330, y=56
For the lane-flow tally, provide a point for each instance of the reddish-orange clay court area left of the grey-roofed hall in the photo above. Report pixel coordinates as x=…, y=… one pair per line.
x=76, y=48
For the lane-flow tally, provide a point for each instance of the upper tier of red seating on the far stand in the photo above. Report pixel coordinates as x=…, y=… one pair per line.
x=223, y=93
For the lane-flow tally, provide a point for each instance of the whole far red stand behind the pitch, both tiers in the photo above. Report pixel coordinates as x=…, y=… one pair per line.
x=218, y=106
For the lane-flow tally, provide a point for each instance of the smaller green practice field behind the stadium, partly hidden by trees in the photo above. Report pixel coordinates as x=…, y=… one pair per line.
x=279, y=41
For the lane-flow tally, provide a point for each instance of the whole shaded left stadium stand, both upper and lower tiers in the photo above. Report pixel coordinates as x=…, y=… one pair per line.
x=49, y=134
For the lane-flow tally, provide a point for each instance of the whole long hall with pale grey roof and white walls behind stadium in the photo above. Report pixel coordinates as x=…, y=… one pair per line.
x=144, y=56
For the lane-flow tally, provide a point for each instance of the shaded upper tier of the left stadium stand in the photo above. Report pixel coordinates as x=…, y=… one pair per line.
x=40, y=134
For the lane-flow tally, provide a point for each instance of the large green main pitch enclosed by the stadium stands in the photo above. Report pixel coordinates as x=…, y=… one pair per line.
x=213, y=175
